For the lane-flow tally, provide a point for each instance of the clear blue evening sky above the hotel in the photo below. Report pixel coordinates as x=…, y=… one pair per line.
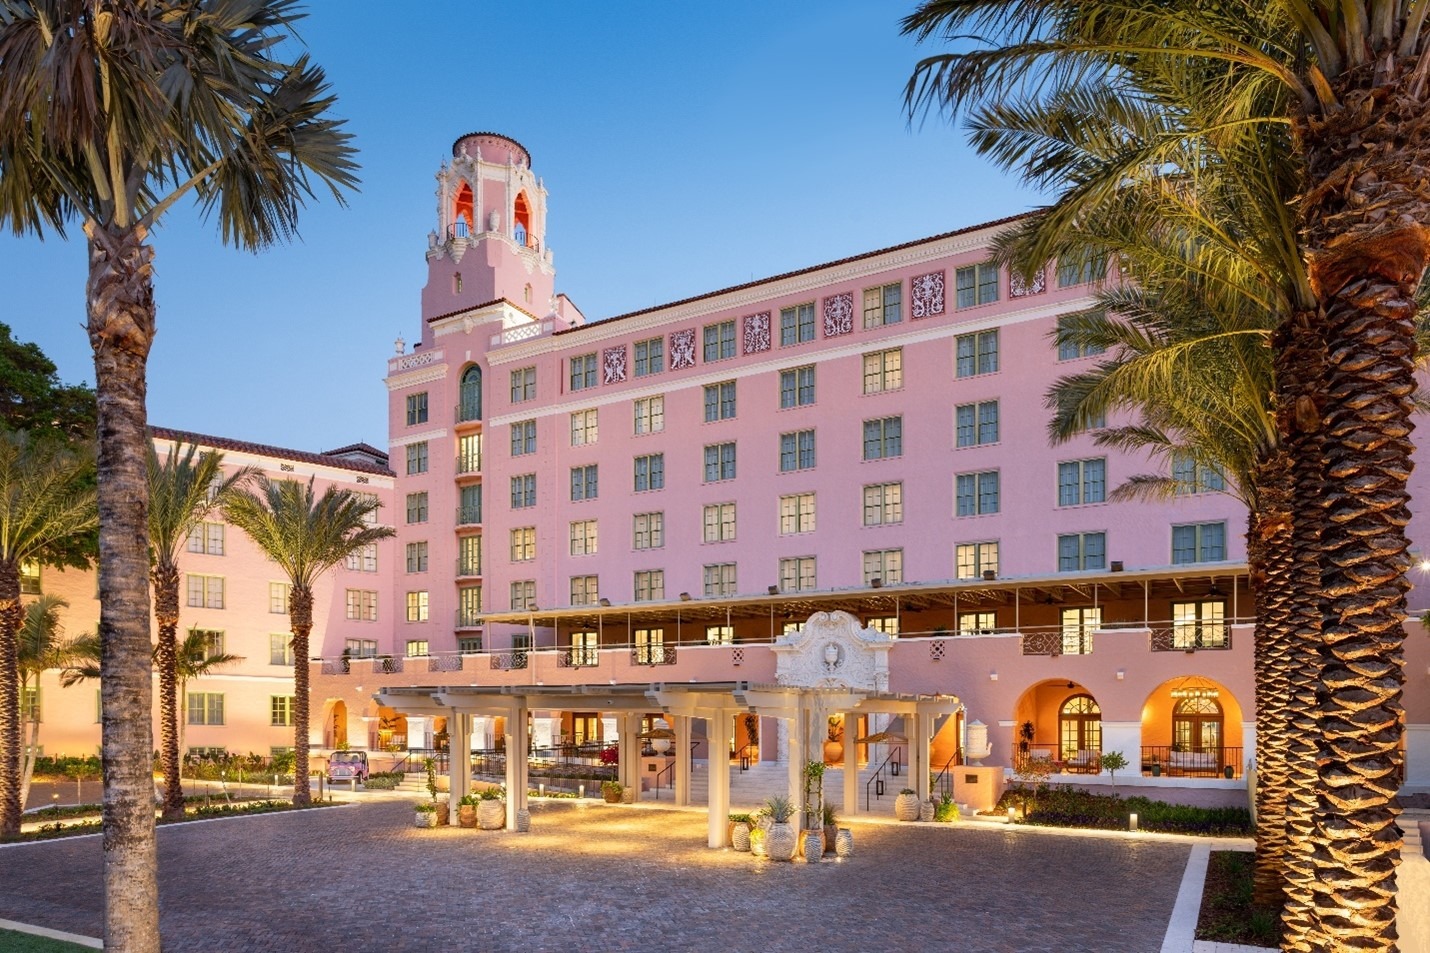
x=684, y=147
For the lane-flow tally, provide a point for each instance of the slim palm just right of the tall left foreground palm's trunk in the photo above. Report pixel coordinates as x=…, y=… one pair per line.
x=184, y=490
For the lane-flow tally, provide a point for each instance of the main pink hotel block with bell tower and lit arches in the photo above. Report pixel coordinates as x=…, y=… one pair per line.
x=607, y=523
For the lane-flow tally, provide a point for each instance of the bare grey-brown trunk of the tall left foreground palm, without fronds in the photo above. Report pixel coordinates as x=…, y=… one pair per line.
x=121, y=306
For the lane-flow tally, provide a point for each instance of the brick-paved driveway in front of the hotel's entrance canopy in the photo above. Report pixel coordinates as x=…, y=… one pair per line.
x=604, y=878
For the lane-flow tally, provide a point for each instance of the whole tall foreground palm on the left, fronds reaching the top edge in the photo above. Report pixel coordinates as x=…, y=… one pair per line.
x=109, y=115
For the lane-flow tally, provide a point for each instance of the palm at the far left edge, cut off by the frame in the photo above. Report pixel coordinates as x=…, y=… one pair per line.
x=45, y=500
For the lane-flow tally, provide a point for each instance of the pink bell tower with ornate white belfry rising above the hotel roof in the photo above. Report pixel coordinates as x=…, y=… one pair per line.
x=491, y=237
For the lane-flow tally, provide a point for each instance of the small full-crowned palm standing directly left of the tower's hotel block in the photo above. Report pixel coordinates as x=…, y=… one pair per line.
x=307, y=536
